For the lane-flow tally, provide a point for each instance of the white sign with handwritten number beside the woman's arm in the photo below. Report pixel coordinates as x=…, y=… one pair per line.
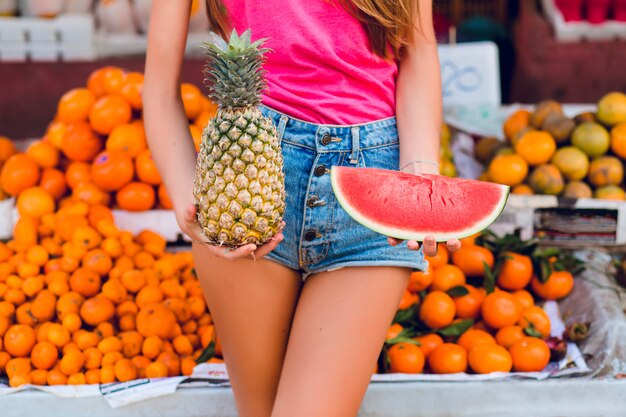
x=470, y=74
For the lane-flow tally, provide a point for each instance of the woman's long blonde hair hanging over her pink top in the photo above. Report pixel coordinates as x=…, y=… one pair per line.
x=389, y=23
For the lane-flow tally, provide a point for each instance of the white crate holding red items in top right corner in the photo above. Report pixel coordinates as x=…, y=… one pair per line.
x=577, y=31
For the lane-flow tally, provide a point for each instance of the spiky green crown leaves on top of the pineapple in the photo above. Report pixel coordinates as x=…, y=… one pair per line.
x=234, y=70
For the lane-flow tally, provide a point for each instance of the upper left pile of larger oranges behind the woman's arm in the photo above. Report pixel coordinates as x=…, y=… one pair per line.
x=95, y=149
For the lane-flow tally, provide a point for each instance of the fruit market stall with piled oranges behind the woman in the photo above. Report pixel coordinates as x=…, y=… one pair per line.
x=100, y=306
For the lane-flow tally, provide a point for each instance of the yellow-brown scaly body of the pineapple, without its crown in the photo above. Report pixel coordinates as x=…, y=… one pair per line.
x=239, y=185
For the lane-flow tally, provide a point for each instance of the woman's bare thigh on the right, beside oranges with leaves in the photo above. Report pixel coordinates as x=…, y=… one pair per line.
x=338, y=330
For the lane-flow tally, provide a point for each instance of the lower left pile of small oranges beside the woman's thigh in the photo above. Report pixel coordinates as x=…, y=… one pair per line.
x=83, y=302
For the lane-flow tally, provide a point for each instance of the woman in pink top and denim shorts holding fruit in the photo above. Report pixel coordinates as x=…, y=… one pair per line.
x=302, y=322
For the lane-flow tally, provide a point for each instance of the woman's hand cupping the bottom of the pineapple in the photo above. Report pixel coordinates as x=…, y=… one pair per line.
x=189, y=225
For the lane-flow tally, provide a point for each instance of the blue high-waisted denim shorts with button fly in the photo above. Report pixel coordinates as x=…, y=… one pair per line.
x=319, y=234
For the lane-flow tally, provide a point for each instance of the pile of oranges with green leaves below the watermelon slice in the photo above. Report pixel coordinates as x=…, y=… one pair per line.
x=448, y=323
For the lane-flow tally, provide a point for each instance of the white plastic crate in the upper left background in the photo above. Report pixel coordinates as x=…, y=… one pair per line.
x=66, y=38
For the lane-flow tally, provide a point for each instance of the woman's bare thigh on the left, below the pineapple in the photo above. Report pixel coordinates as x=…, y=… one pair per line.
x=252, y=305
